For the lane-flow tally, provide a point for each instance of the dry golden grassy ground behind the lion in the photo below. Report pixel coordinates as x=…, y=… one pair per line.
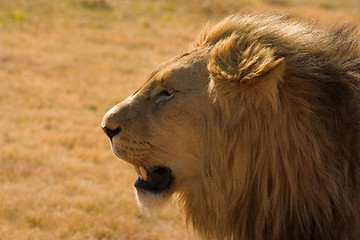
x=63, y=64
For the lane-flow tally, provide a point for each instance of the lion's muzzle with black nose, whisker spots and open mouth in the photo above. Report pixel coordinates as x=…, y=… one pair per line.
x=119, y=124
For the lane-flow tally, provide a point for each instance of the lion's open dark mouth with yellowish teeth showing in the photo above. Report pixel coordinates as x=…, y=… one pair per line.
x=153, y=179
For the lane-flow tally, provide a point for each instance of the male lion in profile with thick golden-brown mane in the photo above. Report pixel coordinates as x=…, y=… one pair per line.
x=254, y=130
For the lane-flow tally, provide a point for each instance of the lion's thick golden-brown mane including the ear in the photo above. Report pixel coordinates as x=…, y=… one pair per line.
x=282, y=143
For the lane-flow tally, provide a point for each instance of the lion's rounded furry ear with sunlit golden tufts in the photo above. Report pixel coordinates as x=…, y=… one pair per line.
x=246, y=71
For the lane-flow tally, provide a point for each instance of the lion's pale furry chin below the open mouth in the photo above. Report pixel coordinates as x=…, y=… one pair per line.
x=150, y=203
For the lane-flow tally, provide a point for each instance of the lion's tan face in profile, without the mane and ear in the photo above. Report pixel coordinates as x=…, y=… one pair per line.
x=158, y=128
